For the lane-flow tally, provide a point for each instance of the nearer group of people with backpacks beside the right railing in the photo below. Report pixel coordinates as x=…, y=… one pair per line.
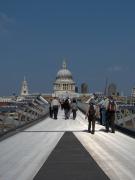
x=103, y=111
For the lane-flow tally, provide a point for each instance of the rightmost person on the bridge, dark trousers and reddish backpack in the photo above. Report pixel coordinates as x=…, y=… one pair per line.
x=111, y=109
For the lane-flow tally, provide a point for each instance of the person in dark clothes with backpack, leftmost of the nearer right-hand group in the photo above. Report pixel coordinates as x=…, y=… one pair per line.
x=91, y=116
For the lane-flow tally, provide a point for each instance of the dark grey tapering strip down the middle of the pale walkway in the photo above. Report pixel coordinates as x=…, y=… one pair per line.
x=70, y=160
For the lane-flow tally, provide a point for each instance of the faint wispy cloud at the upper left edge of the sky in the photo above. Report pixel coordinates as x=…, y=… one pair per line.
x=5, y=22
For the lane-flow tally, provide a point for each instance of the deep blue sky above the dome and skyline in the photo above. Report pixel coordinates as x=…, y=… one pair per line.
x=96, y=37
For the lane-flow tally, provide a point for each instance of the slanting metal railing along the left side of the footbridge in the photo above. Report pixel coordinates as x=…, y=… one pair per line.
x=23, y=115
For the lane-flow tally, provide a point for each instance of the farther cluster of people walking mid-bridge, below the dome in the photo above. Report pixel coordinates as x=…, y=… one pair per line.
x=69, y=106
